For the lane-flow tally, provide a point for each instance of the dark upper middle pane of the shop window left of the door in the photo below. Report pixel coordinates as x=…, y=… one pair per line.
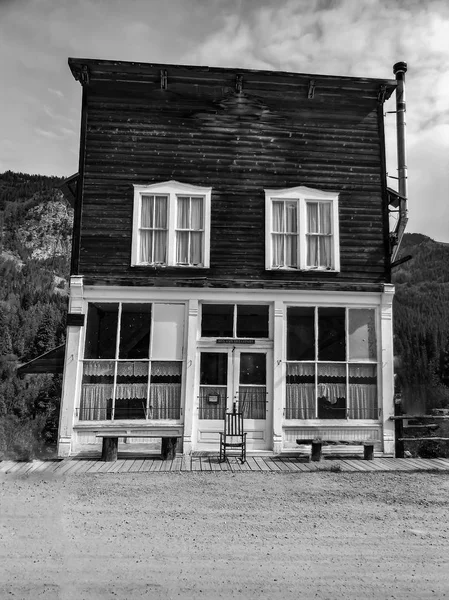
x=135, y=331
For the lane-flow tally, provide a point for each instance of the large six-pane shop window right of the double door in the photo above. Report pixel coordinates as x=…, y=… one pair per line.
x=331, y=363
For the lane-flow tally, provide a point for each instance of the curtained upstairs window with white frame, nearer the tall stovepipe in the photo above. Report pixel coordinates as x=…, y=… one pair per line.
x=302, y=229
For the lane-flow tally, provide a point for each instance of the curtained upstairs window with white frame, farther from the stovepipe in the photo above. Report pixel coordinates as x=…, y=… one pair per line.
x=171, y=225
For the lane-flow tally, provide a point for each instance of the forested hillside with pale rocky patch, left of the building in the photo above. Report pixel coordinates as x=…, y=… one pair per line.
x=35, y=238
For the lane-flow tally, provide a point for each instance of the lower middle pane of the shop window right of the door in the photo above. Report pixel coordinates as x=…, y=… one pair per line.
x=331, y=391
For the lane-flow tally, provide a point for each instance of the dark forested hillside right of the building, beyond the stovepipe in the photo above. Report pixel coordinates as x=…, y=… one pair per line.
x=421, y=323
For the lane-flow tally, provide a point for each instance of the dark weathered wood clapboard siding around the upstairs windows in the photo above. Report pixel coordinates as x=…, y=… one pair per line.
x=200, y=131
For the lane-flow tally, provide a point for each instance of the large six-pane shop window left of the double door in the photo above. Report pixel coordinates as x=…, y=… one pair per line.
x=132, y=365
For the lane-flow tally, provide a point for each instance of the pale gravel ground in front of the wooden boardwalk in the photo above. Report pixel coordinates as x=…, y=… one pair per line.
x=224, y=535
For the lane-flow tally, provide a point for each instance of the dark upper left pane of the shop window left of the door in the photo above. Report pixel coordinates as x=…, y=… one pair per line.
x=101, y=331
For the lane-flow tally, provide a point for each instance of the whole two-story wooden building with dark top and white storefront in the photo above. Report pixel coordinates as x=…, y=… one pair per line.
x=231, y=245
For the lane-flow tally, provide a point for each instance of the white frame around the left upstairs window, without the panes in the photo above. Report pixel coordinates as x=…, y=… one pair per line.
x=172, y=189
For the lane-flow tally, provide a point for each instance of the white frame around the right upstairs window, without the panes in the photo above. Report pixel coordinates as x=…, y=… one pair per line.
x=301, y=195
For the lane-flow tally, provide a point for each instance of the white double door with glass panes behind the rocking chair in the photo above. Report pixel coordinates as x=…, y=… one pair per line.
x=240, y=378
